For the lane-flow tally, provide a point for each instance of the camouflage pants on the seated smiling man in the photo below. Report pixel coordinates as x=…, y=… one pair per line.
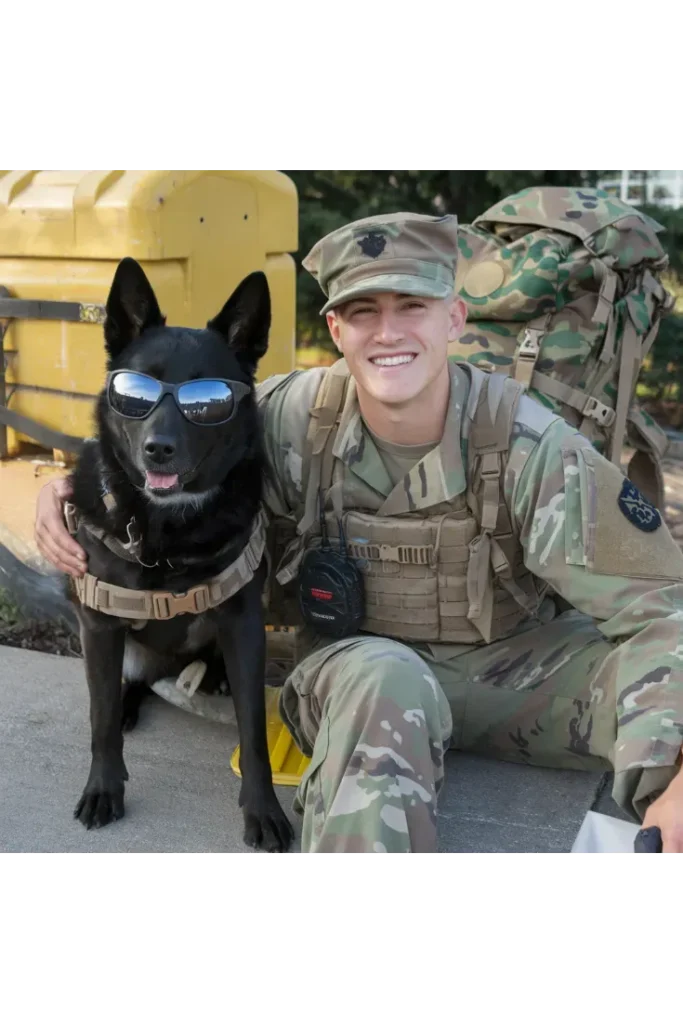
x=377, y=717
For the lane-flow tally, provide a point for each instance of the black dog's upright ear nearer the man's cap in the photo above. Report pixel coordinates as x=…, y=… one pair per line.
x=245, y=320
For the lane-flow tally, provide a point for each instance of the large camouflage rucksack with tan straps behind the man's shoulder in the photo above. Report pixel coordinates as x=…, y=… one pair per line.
x=565, y=292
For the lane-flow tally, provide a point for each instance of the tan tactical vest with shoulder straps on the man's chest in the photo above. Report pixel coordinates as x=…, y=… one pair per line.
x=453, y=574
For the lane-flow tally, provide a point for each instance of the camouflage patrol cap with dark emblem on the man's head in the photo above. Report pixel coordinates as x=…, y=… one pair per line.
x=408, y=253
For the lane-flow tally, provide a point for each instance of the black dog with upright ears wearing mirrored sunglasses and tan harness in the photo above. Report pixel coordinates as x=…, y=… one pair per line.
x=165, y=499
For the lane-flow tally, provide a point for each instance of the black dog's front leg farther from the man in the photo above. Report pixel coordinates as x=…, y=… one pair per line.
x=103, y=799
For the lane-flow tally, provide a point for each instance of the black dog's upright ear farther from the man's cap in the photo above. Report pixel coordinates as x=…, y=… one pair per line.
x=132, y=308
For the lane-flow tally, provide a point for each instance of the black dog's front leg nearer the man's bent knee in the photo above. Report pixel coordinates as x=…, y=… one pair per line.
x=242, y=636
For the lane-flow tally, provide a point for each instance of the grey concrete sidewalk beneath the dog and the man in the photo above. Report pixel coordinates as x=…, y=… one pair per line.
x=183, y=796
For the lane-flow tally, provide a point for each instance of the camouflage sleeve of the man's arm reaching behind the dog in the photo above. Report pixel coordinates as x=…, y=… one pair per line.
x=284, y=403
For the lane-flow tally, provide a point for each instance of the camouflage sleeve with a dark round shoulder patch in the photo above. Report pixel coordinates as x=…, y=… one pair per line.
x=588, y=533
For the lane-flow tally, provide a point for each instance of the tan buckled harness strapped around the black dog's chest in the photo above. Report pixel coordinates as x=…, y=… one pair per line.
x=162, y=605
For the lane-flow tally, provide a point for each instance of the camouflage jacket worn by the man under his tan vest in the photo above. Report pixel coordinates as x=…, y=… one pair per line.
x=583, y=528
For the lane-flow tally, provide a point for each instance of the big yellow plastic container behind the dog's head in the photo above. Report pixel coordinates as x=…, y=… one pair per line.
x=196, y=233
